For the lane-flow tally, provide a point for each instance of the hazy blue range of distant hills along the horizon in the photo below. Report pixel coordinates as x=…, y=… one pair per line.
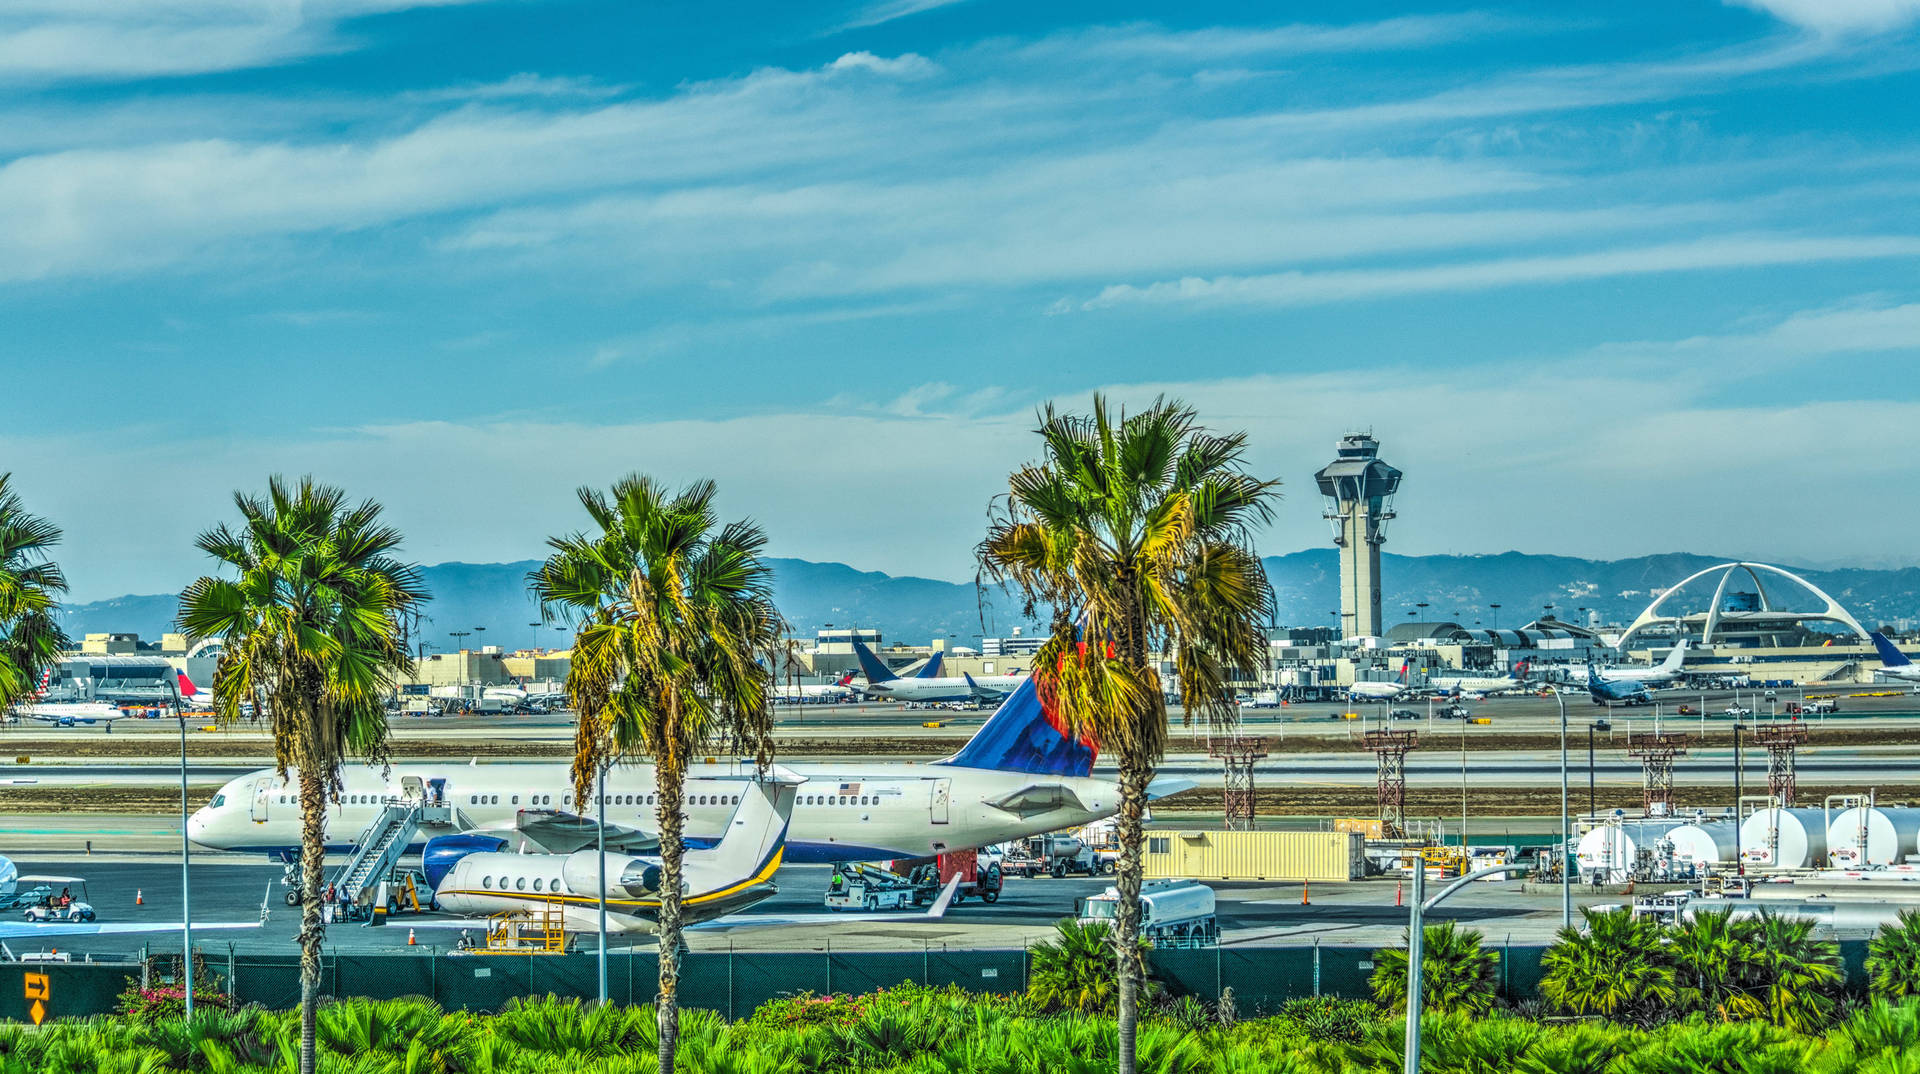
x=915, y=610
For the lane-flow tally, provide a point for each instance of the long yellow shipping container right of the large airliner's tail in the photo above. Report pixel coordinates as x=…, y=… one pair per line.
x=1255, y=856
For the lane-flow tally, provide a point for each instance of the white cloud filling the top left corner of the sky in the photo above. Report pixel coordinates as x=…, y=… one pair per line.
x=49, y=41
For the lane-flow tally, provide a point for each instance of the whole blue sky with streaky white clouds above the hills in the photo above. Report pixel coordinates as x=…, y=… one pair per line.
x=1606, y=281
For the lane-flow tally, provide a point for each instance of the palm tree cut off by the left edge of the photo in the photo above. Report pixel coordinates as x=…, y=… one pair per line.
x=30, y=593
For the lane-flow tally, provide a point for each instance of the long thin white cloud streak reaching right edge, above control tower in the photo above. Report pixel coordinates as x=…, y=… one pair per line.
x=1314, y=289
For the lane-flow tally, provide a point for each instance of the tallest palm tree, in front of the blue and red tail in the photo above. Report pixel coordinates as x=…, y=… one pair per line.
x=1136, y=535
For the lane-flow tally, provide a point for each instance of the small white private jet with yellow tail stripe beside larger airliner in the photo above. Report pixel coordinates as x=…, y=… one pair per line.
x=731, y=877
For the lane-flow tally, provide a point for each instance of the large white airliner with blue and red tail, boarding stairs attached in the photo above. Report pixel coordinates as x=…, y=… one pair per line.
x=1020, y=775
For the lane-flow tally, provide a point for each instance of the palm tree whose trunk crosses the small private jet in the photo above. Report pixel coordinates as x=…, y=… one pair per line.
x=675, y=647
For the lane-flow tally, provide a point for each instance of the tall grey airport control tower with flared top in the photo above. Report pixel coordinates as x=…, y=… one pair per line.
x=1360, y=500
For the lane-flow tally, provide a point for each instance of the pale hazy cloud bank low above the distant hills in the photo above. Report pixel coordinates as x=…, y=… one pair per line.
x=1524, y=427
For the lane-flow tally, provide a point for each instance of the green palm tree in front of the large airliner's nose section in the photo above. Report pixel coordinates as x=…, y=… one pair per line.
x=314, y=639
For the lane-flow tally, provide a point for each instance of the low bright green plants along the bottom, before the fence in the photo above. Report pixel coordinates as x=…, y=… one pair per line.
x=924, y=1031
